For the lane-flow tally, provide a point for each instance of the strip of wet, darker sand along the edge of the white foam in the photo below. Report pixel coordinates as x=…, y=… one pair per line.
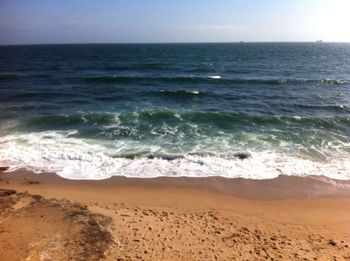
x=281, y=188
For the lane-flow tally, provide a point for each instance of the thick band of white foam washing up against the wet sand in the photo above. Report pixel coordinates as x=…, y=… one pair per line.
x=74, y=158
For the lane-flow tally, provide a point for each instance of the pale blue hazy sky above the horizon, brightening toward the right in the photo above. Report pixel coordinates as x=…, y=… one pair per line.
x=153, y=21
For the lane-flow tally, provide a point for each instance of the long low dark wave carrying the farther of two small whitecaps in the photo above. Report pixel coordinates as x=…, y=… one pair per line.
x=209, y=79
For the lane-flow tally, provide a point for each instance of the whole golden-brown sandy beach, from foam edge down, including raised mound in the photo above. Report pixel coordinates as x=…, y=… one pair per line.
x=289, y=218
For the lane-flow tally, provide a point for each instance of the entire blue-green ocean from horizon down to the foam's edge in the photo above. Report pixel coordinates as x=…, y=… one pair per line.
x=250, y=110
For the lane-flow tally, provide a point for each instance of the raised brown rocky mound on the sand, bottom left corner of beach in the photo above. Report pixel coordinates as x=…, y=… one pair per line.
x=35, y=228
